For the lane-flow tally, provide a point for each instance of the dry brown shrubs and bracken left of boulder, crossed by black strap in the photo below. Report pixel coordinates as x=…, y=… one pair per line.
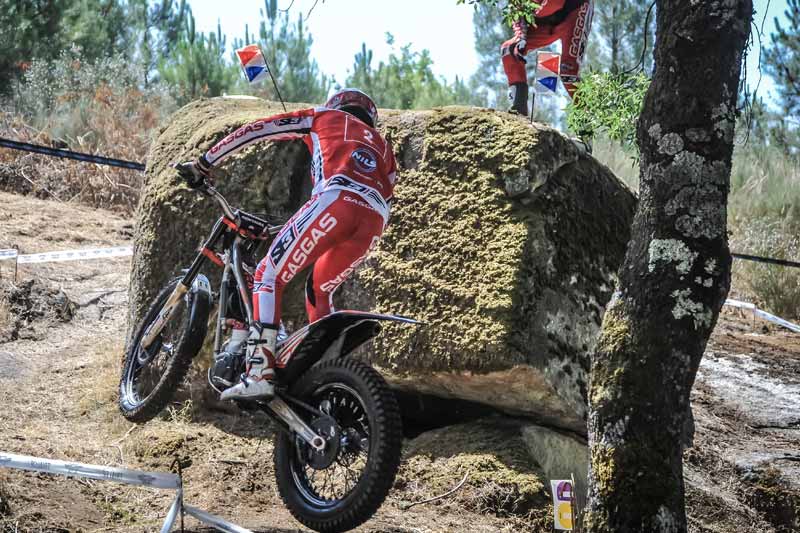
x=96, y=107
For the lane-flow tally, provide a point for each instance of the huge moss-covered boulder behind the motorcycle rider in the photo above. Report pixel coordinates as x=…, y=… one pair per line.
x=504, y=239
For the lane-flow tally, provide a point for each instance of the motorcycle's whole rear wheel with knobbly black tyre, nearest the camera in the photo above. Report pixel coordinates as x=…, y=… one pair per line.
x=343, y=486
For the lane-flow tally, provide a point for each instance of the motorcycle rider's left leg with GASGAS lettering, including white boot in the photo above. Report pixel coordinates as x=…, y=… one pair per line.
x=307, y=235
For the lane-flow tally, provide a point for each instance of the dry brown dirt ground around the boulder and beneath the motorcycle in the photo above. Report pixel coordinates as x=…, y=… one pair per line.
x=59, y=372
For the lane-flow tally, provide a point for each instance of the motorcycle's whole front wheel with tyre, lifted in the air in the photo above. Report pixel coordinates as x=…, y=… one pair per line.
x=150, y=377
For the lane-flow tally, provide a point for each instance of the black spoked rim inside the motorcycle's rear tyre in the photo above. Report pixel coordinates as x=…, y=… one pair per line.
x=327, y=487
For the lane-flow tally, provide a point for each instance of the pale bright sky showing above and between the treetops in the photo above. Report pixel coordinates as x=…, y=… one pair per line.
x=340, y=26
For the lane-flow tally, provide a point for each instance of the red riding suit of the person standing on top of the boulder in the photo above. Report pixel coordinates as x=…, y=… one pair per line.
x=567, y=20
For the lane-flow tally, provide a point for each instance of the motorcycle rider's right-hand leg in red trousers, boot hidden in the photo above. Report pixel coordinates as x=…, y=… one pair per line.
x=339, y=262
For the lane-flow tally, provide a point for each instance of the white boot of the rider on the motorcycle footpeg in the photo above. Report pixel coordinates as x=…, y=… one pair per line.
x=257, y=384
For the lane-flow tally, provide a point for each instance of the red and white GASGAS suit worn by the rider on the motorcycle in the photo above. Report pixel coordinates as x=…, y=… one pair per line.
x=353, y=171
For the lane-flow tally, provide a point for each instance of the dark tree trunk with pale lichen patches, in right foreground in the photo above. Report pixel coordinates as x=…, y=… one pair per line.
x=676, y=272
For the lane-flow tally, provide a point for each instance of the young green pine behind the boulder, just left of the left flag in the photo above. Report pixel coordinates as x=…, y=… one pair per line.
x=197, y=67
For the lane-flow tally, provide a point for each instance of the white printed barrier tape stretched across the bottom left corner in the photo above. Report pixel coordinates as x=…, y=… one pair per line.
x=102, y=473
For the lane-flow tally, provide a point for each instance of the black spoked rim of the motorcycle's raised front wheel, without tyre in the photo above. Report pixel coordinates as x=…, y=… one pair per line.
x=147, y=368
